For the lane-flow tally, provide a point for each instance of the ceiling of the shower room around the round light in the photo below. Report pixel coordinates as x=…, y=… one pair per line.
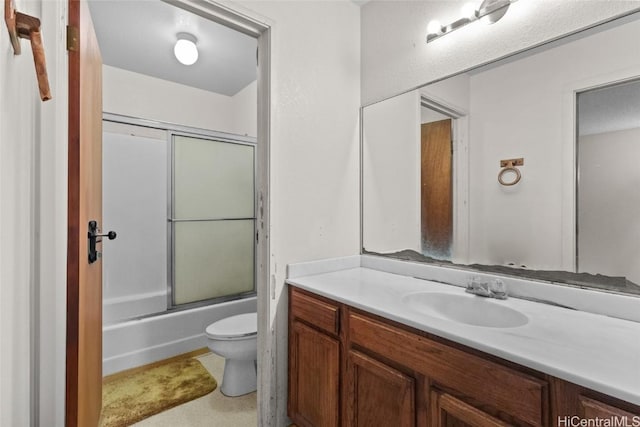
x=139, y=36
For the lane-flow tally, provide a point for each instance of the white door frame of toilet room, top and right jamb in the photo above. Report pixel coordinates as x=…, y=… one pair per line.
x=249, y=23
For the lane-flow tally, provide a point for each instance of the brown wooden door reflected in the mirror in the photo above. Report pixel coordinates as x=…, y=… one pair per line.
x=436, y=185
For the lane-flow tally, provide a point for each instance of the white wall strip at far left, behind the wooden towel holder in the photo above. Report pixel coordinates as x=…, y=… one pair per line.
x=19, y=137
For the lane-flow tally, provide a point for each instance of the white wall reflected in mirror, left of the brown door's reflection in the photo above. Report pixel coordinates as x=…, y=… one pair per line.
x=391, y=174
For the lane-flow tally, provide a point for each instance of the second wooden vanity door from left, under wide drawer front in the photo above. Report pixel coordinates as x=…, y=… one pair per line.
x=378, y=395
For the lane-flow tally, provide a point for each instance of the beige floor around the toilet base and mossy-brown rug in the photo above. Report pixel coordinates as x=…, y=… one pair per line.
x=211, y=410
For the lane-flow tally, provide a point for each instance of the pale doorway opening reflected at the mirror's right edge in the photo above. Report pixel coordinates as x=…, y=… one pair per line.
x=608, y=201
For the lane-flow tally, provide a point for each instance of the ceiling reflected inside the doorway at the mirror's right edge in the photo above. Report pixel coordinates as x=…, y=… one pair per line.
x=610, y=109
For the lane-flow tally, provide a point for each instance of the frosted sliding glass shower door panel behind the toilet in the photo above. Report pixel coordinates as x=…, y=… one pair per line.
x=212, y=220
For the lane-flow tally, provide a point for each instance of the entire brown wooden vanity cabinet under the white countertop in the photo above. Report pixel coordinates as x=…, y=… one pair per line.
x=352, y=368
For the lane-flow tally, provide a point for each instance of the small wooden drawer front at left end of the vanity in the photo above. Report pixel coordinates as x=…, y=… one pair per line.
x=316, y=312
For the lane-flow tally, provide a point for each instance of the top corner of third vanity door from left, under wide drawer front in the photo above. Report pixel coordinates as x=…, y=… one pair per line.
x=447, y=411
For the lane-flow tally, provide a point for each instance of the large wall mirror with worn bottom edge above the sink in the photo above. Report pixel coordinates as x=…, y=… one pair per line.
x=528, y=166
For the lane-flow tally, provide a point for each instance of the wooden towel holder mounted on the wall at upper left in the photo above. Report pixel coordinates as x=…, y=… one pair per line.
x=24, y=26
